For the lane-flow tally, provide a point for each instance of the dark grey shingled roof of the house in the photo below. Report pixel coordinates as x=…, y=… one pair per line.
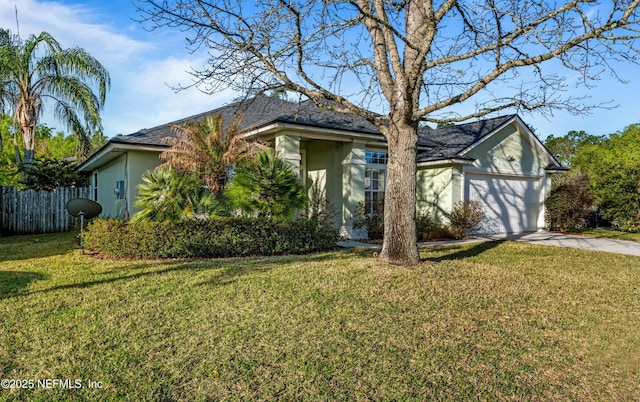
x=261, y=111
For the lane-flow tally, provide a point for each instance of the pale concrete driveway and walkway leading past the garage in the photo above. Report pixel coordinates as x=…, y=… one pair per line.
x=544, y=238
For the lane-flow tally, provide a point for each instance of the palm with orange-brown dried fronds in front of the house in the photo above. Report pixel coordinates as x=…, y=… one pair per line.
x=205, y=150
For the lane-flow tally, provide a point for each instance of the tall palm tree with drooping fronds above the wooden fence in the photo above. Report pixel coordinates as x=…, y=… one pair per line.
x=39, y=70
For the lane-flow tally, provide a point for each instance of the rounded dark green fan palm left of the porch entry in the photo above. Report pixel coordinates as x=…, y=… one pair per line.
x=267, y=186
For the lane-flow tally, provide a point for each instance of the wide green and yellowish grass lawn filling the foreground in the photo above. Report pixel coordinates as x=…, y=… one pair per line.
x=490, y=321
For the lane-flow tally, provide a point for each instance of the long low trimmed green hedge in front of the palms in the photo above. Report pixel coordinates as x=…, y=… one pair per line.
x=228, y=237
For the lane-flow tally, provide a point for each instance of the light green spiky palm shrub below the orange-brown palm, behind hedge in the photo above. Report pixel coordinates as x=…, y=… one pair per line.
x=169, y=196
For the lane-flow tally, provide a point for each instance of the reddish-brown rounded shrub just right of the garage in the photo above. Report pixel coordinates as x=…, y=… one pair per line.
x=569, y=202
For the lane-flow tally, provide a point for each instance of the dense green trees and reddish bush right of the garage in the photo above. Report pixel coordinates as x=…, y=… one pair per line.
x=604, y=174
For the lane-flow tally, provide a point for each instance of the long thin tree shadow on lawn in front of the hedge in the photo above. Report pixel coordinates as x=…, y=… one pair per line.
x=229, y=269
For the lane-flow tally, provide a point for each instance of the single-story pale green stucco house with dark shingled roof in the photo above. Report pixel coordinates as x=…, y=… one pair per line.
x=343, y=158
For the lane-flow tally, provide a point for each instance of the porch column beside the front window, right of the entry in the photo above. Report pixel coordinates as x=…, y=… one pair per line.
x=353, y=172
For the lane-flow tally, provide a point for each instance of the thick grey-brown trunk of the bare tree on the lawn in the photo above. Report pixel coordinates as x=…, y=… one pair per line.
x=400, y=245
